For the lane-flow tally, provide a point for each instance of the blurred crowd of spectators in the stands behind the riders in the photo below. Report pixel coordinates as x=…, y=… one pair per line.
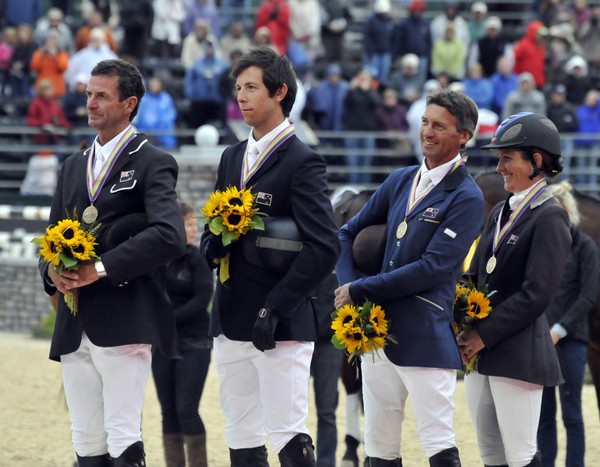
x=507, y=61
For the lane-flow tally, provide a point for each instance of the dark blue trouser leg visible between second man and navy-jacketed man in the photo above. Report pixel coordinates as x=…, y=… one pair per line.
x=325, y=368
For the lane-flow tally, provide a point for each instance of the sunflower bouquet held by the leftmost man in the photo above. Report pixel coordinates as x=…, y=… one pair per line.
x=66, y=246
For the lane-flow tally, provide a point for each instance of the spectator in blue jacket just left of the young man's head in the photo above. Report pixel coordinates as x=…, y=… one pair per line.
x=201, y=87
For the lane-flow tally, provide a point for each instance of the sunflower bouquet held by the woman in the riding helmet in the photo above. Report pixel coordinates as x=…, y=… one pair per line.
x=471, y=304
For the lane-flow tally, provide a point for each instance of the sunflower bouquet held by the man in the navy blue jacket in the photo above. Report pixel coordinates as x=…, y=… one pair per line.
x=359, y=329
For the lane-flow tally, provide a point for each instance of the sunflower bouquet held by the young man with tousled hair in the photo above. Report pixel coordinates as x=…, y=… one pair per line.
x=230, y=214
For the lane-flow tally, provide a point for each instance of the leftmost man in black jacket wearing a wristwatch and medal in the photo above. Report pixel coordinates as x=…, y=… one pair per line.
x=127, y=186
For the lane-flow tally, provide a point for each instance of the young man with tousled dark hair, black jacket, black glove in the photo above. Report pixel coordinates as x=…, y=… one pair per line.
x=262, y=319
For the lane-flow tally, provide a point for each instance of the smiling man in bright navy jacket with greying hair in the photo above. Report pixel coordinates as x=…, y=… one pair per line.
x=433, y=213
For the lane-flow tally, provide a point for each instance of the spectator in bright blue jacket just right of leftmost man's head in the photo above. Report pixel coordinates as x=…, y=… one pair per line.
x=158, y=113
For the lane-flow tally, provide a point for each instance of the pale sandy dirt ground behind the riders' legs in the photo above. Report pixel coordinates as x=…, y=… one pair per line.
x=34, y=424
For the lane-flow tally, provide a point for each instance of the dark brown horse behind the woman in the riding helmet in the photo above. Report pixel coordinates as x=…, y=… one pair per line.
x=492, y=185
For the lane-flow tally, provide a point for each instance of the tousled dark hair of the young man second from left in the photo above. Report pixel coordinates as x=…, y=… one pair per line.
x=277, y=71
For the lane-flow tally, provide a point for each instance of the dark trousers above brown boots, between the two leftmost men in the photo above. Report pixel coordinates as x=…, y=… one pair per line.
x=179, y=383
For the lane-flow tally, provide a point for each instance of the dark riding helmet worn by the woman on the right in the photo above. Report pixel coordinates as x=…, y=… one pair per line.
x=528, y=130
